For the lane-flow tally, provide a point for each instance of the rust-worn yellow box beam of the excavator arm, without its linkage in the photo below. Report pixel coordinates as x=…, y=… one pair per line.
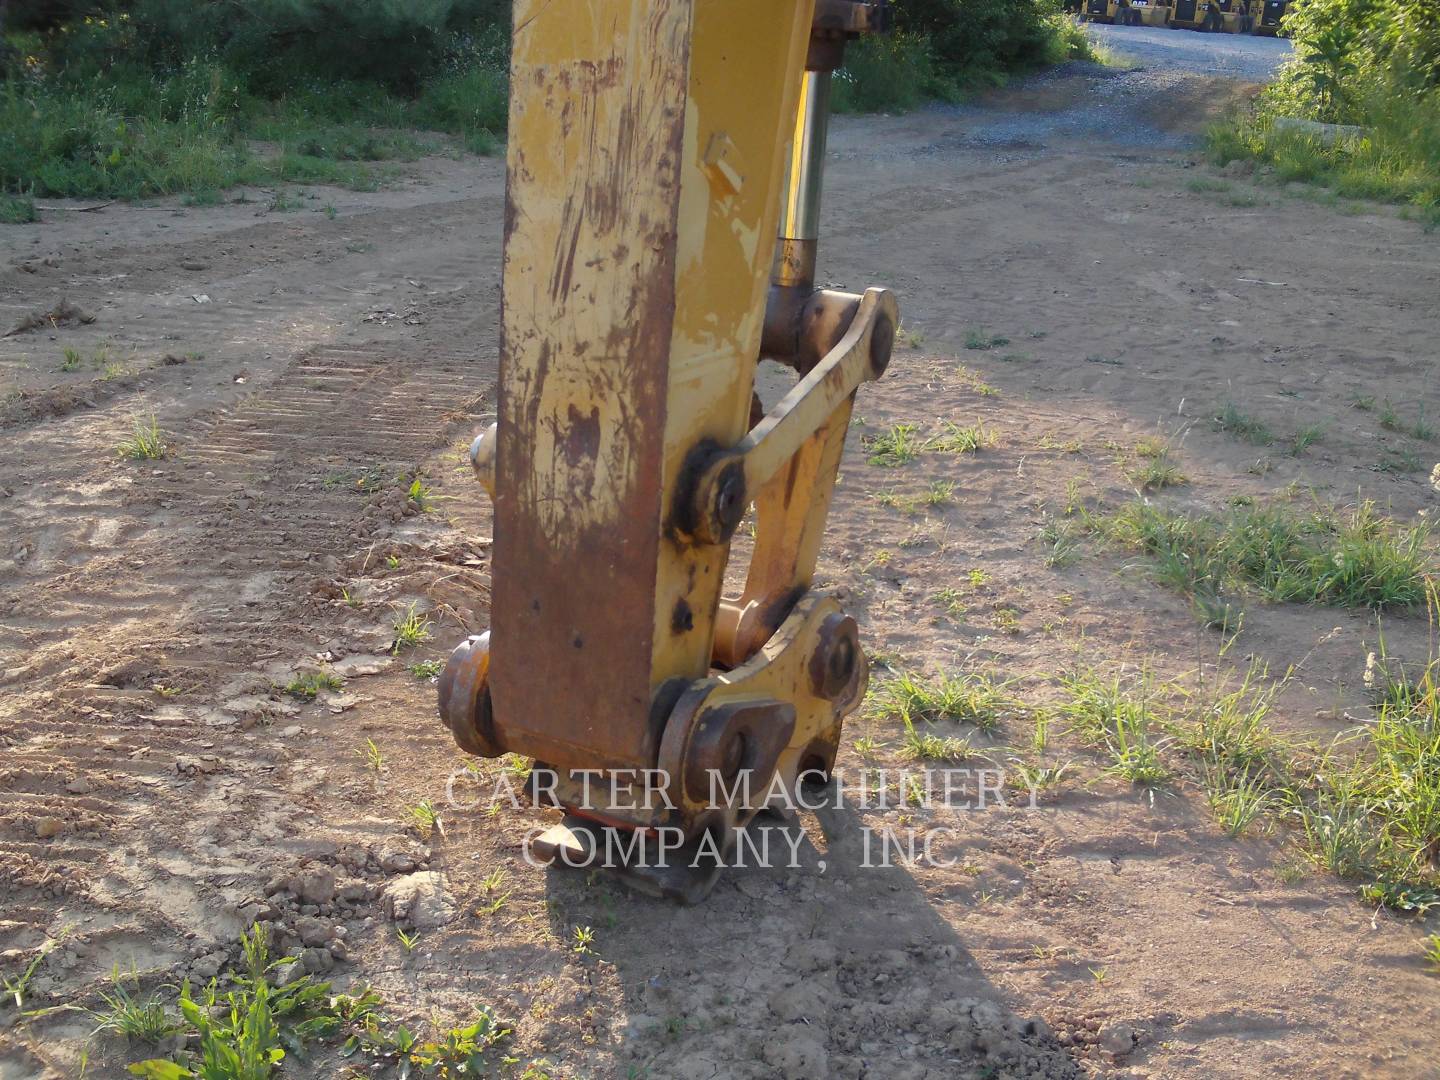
x=646, y=158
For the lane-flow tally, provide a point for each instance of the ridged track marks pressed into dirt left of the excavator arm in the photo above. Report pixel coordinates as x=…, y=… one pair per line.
x=133, y=788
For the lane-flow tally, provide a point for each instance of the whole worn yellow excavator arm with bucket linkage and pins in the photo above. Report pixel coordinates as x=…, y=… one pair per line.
x=662, y=222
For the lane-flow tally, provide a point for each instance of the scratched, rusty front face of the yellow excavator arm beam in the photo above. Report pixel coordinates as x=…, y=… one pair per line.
x=598, y=120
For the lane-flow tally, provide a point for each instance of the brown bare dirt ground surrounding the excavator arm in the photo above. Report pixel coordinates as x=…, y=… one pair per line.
x=158, y=793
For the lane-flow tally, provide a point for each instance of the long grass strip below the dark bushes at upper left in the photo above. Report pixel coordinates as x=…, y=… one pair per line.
x=198, y=130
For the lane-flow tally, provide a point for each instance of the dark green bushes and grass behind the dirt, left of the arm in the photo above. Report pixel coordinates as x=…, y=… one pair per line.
x=165, y=97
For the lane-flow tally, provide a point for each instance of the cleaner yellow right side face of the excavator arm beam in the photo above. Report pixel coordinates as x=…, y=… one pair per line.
x=747, y=73
